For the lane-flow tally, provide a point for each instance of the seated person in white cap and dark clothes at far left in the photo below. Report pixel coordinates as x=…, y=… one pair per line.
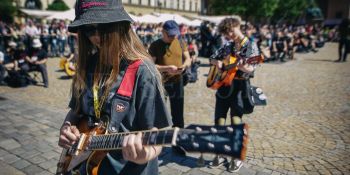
x=36, y=61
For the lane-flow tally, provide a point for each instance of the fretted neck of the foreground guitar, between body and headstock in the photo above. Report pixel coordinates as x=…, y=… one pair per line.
x=114, y=141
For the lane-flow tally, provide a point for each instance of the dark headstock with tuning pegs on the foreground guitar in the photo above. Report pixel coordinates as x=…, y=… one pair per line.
x=223, y=140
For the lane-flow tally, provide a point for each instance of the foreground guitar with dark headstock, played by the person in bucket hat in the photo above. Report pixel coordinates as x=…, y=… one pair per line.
x=95, y=143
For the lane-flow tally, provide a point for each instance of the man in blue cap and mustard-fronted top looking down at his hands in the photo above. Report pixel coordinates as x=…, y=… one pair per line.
x=171, y=57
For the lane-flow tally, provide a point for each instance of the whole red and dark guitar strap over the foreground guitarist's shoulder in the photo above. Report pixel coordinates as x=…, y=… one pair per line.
x=121, y=97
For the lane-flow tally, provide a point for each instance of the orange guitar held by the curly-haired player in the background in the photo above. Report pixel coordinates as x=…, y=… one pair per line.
x=224, y=76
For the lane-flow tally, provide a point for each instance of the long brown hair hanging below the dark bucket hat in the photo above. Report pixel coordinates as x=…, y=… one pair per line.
x=118, y=41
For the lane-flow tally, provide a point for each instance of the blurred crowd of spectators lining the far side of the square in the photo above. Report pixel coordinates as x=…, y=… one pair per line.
x=275, y=42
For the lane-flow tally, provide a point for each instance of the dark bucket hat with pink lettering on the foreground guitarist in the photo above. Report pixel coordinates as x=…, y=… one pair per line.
x=97, y=12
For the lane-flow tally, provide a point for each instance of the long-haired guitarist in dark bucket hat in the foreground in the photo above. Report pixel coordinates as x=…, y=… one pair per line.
x=107, y=46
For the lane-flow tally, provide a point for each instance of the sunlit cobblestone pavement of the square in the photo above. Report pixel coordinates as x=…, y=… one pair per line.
x=304, y=129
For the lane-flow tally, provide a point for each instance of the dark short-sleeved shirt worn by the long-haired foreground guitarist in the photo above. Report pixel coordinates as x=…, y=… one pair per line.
x=147, y=110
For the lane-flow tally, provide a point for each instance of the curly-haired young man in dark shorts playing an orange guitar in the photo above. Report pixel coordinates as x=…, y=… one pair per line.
x=228, y=97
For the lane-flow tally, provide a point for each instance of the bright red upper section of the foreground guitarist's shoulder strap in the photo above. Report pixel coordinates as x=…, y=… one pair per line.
x=127, y=85
